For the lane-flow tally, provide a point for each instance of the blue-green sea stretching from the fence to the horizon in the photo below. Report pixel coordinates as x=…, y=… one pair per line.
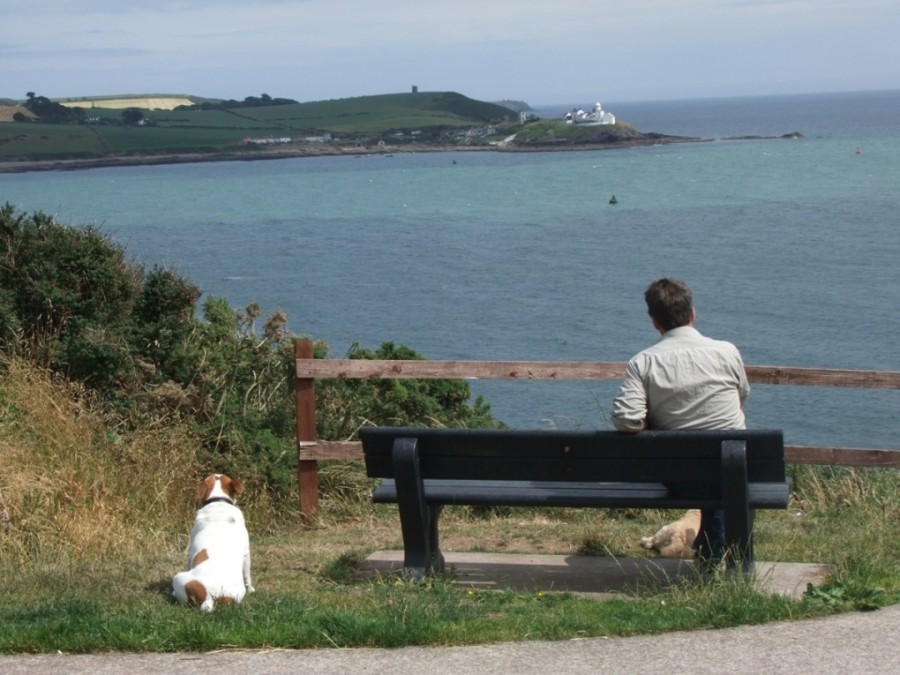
x=791, y=246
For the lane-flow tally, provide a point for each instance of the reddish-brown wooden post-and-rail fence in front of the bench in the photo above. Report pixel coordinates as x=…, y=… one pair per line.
x=310, y=451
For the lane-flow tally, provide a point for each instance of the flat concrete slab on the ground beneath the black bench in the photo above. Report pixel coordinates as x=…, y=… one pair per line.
x=601, y=577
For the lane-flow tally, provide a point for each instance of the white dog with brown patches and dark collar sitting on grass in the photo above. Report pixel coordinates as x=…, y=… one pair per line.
x=219, y=554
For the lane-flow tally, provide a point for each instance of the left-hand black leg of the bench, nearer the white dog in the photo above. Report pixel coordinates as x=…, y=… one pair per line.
x=418, y=521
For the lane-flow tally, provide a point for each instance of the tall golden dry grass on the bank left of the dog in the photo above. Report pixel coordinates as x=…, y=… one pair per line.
x=70, y=488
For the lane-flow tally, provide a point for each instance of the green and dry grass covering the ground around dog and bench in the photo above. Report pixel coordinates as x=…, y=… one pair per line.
x=93, y=524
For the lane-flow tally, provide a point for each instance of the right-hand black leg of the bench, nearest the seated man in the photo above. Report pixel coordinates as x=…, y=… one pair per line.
x=738, y=516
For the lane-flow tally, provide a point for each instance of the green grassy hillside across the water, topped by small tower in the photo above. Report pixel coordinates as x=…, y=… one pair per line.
x=425, y=116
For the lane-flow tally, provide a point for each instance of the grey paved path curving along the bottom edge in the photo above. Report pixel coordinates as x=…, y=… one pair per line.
x=848, y=644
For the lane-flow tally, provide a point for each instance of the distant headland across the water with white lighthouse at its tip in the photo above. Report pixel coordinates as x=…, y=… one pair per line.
x=43, y=135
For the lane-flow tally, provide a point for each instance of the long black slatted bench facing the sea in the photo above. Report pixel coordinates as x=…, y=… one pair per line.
x=425, y=469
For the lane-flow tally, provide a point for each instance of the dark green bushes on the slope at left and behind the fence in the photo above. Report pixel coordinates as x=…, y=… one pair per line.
x=72, y=304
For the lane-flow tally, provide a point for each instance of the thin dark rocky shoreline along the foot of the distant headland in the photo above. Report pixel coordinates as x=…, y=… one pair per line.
x=112, y=161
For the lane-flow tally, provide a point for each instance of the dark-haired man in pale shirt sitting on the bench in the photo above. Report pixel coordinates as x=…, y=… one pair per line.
x=684, y=381
